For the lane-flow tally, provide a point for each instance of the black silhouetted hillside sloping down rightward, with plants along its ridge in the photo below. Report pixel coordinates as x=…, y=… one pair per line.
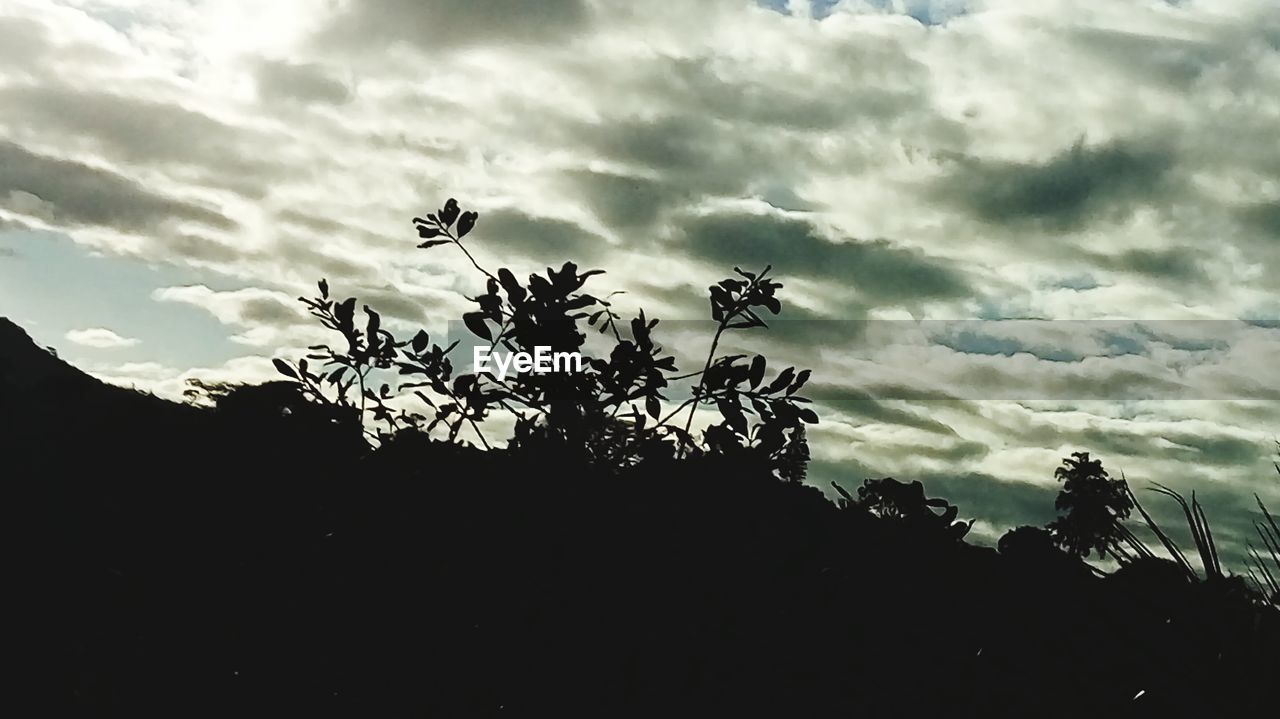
x=258, y=553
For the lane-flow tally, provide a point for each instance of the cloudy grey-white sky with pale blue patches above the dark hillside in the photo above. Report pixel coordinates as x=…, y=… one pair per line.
x=176, y=173
